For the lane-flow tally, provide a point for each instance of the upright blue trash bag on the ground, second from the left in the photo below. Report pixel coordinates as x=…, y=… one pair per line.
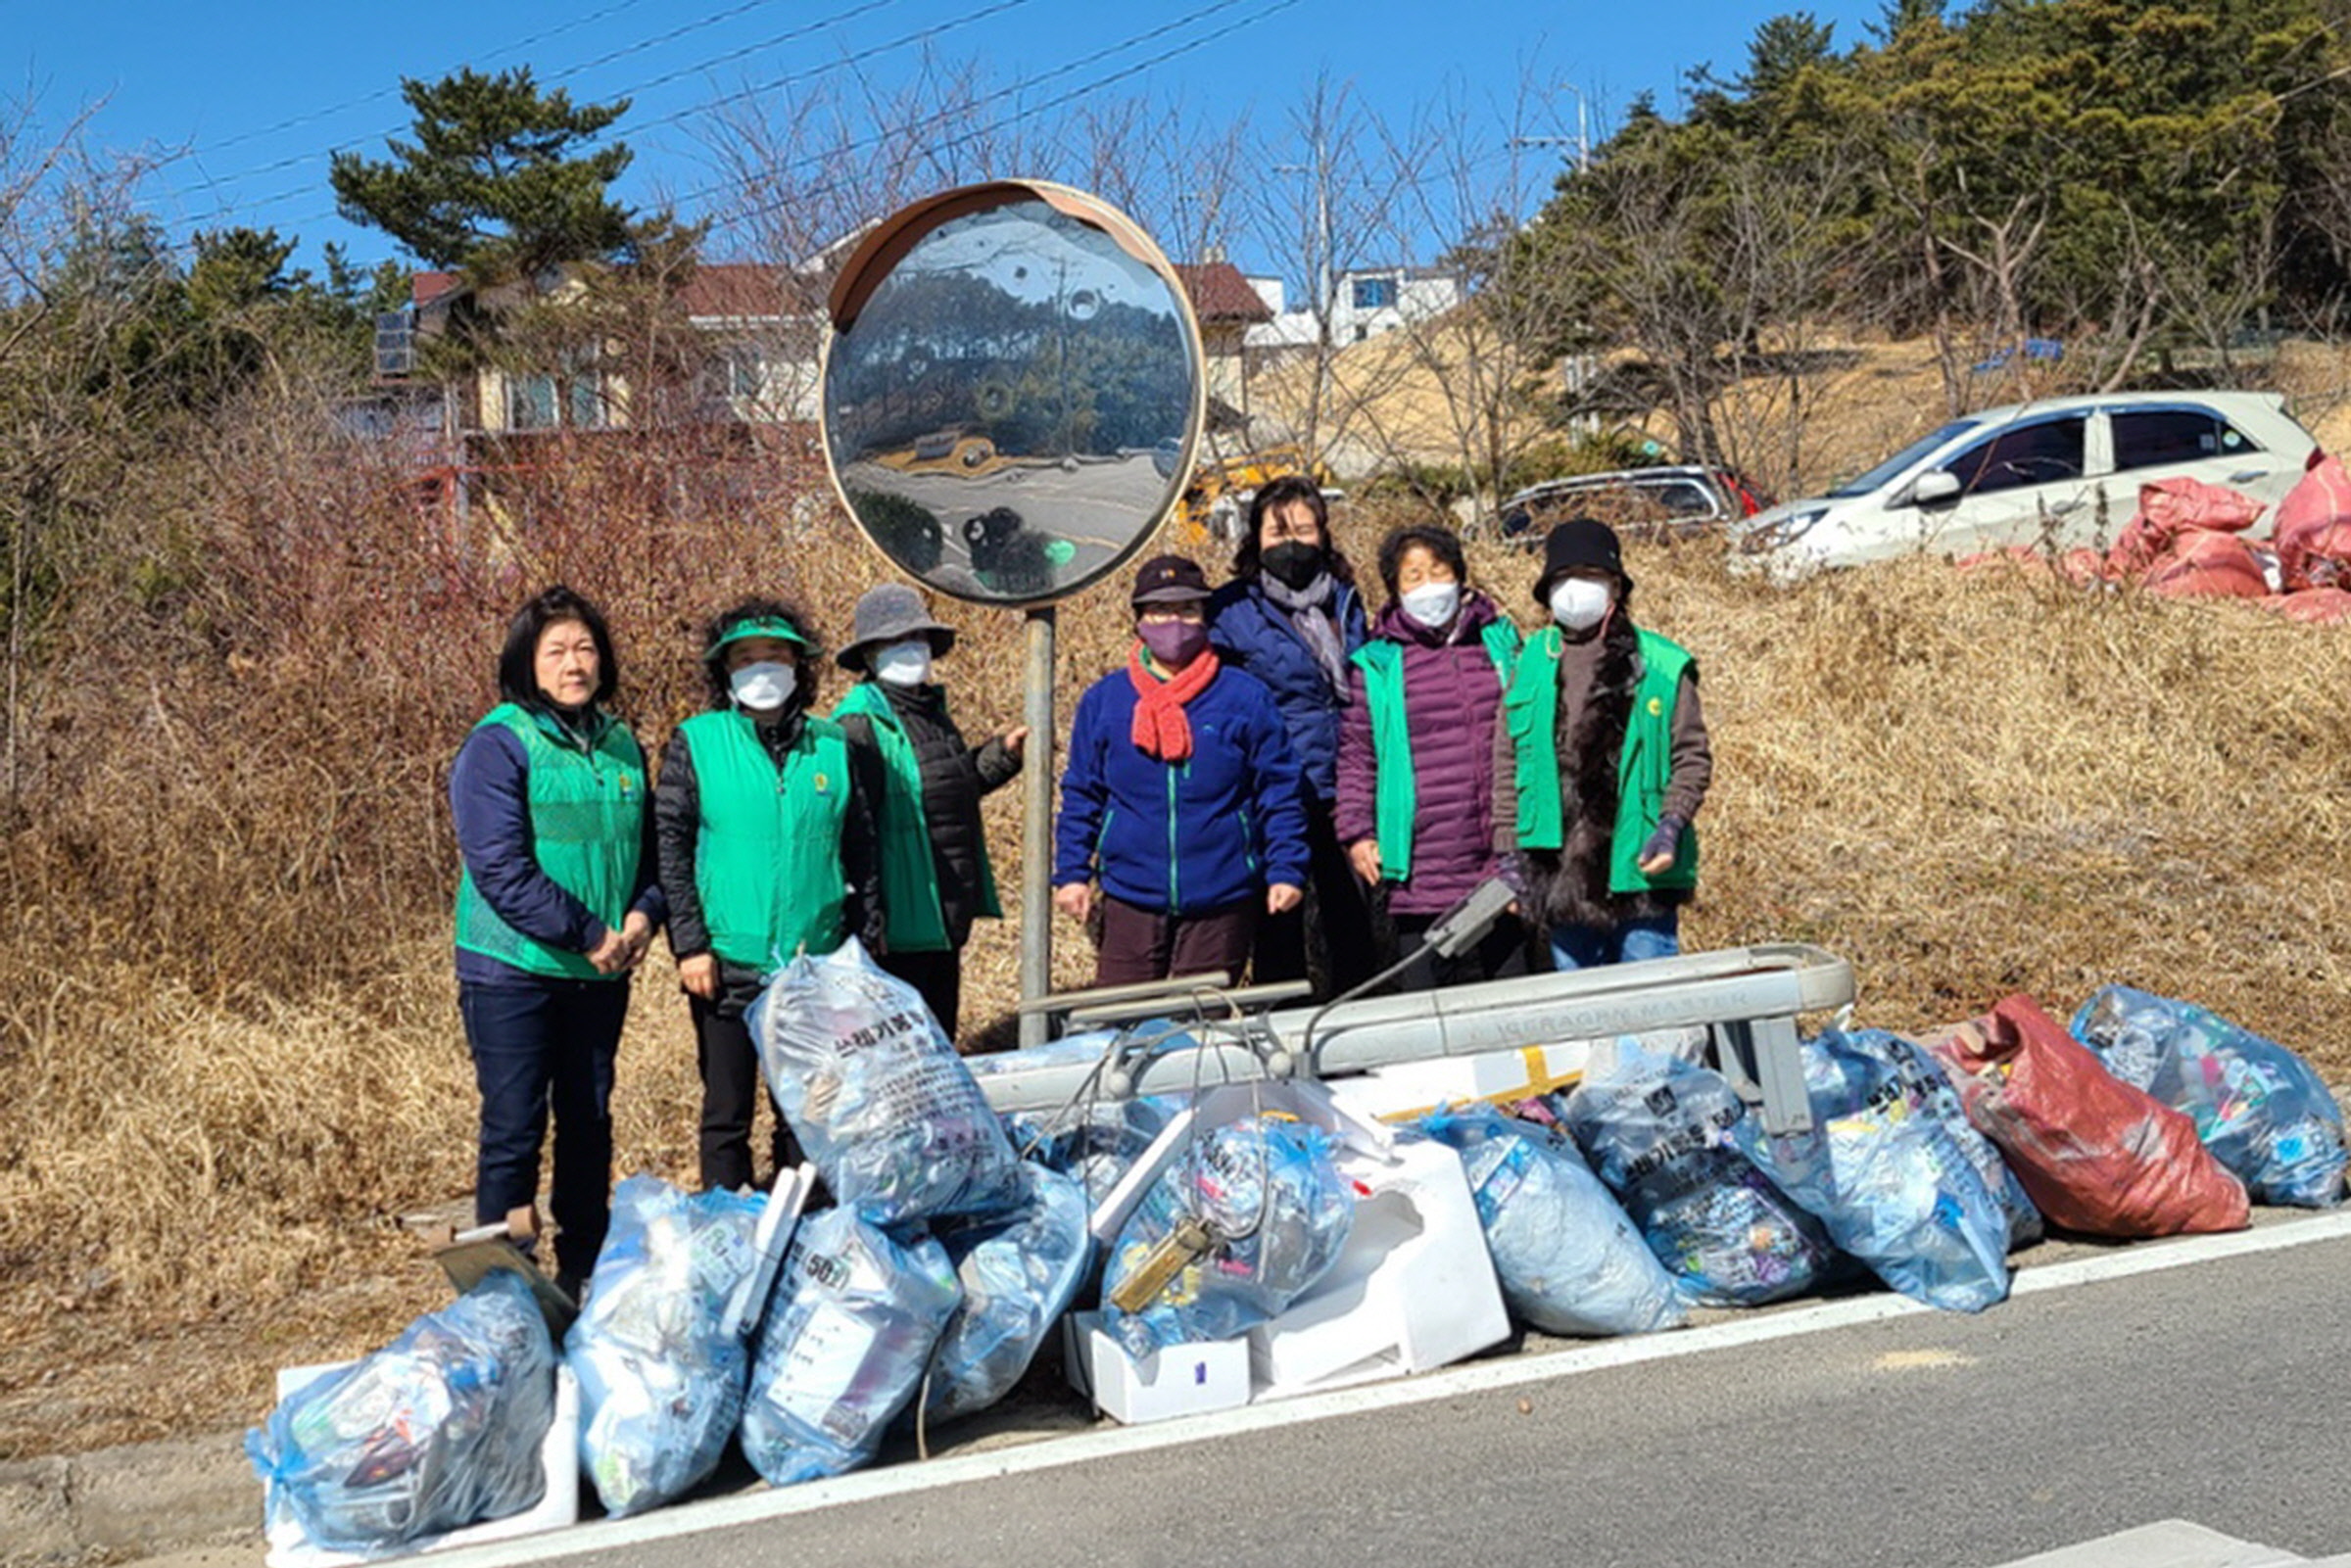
x=662, y=1381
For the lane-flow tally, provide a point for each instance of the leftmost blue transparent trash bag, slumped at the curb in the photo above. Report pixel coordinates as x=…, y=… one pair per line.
x=434, y=1433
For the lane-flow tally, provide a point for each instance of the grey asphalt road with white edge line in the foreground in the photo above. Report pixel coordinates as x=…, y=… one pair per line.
x=2206, y=1393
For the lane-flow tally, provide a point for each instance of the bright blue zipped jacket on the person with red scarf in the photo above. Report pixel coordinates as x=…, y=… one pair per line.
x=1181, y=838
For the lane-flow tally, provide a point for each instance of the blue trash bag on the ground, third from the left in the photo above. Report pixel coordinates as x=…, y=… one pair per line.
x=843, y=1348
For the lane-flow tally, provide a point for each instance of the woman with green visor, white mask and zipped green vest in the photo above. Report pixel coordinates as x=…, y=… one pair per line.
x=765, y=852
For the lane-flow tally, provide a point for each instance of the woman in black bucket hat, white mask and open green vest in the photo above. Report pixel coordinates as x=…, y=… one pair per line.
x=1602, y=763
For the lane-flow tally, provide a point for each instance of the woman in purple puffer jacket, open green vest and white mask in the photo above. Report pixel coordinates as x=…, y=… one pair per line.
x=1416, y=753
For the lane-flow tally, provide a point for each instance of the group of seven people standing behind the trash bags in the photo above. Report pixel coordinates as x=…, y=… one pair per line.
x=1268, y=786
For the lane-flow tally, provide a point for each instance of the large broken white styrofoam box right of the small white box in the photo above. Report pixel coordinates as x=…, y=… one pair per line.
x=1414, y=1287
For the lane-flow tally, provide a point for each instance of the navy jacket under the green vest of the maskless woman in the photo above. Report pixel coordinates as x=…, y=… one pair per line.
x=490, y=803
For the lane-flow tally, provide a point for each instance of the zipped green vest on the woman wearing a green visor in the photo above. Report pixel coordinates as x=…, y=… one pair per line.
x=768, y=862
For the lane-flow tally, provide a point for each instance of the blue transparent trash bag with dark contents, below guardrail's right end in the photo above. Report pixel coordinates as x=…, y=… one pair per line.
x=1659, y=1134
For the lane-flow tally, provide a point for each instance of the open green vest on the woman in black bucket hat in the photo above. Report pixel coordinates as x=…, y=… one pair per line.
x=1642, y=772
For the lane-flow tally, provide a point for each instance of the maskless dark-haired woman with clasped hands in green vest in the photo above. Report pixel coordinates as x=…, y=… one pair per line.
x=554, y=911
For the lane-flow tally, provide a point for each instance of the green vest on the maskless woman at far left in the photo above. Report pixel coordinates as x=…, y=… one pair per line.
x=587, y=803
